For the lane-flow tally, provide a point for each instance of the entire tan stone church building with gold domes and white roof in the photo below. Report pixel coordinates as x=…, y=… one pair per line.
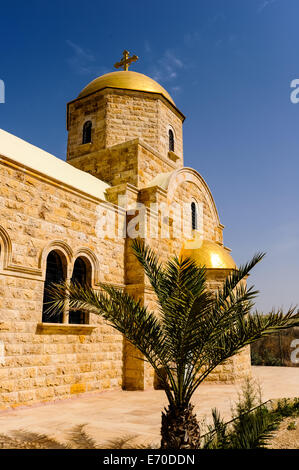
x=74, y=220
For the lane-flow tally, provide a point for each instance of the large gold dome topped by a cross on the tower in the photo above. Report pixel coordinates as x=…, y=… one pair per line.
x=127, y=80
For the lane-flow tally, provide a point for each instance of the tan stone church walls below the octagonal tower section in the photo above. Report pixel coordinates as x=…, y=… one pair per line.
x=38, y=215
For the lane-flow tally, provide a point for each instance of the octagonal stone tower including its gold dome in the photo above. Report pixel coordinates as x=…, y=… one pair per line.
x=119, y=108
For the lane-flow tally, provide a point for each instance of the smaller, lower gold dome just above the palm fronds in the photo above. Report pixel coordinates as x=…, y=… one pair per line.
x=209, y=254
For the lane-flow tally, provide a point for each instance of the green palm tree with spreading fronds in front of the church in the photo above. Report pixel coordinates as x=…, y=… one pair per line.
x=193, y=332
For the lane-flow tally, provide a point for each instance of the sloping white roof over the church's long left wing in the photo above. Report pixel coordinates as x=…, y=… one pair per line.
x=32, y=157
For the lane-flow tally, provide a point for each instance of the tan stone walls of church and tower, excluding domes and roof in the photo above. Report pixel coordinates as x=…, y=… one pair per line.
x=129, y=150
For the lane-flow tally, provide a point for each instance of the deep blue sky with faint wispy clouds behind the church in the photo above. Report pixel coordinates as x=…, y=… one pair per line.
x=228, y=65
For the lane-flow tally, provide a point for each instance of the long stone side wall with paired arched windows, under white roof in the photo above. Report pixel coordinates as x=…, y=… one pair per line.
x=37, y=216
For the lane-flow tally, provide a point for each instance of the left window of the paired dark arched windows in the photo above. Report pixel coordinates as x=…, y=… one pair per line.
x=54, y=274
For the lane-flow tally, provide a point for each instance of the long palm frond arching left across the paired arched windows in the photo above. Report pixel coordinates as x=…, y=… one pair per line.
x=139, y=325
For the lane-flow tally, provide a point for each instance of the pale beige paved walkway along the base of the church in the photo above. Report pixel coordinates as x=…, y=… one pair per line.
x=111, y=415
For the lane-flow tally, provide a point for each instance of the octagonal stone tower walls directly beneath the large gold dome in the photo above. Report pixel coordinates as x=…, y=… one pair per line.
x=121, y=115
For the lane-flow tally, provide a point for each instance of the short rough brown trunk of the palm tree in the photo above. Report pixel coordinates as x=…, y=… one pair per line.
x=180, y=428
